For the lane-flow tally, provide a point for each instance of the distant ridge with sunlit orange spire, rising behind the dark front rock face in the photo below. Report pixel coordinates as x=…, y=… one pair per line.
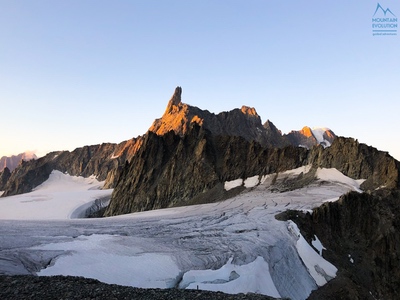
x=107, y=160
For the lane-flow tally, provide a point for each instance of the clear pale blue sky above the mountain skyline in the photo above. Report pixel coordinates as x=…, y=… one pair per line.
x=84, y=72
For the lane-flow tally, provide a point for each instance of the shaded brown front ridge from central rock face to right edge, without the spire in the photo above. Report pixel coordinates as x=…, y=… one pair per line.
x=171, y=170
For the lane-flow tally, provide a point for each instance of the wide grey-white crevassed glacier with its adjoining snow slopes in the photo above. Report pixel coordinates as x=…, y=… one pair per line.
x=235, y=246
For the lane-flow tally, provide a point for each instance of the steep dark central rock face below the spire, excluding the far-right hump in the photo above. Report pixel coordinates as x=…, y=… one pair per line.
x=171, y=170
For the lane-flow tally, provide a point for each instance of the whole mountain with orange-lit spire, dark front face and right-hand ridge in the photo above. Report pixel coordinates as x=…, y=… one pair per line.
x=192, y=152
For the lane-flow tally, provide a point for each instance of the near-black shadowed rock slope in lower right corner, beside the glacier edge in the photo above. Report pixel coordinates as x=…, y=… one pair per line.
x=361, y=235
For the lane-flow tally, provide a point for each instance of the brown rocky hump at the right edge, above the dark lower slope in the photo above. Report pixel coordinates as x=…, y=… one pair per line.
x=359, y=161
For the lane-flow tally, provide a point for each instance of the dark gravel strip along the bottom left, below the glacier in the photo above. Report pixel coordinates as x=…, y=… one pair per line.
x=29, y=287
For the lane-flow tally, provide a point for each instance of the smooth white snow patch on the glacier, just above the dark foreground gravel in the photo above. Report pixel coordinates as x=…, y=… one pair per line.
x=90, y=256
